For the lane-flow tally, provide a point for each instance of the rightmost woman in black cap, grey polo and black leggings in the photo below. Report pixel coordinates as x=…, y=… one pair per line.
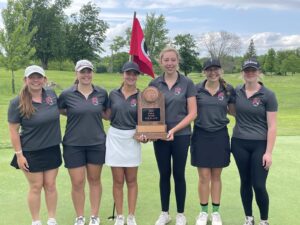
x=253, y=139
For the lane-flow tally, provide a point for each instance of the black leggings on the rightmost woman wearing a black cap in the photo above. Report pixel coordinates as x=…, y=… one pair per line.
x=248, y=157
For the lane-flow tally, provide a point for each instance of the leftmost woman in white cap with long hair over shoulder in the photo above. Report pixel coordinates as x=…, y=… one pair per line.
x=34, y=129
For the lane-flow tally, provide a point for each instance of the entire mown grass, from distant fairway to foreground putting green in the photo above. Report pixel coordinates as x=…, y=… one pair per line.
x=283, y=181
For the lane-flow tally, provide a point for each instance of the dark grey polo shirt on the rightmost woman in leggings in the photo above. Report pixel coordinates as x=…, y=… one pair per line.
x=251, y=113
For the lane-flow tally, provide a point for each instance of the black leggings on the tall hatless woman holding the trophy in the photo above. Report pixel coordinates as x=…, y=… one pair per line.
x=178, y=151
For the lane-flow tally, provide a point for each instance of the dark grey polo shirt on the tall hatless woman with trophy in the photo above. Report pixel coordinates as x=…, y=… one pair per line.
x=176, y=100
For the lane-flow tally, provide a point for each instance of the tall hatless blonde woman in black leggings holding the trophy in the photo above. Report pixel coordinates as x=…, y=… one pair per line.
x=171, y=154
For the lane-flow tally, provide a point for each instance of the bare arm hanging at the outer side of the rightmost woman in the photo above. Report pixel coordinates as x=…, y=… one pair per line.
x=271, y=137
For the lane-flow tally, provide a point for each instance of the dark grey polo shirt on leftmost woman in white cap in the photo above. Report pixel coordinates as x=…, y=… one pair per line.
x=42, y=129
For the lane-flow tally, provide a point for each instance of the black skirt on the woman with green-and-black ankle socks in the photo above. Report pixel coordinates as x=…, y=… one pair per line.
x=210, y=149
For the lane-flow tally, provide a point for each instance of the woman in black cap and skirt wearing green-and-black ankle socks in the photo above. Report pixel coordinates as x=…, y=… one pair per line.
x=210, y=149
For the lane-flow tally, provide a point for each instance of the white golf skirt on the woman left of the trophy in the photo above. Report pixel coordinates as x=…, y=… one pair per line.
x=122, y=150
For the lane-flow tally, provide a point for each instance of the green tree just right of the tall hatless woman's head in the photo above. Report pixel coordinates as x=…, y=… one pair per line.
x=187, y=49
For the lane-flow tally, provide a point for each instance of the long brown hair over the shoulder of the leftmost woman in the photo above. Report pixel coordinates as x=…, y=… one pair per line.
x=26, y=107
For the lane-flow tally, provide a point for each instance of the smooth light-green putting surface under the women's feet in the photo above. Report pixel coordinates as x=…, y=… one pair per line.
x=283, y=185
